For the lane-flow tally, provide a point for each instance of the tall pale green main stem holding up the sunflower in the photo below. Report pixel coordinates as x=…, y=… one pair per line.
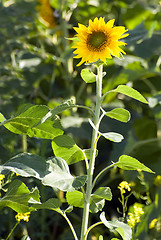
x=90, y=171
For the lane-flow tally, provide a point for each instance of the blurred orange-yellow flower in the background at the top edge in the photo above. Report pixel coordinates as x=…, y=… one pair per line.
x=46, y=13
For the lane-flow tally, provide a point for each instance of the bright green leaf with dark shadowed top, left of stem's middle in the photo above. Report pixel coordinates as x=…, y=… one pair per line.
x=65, y=147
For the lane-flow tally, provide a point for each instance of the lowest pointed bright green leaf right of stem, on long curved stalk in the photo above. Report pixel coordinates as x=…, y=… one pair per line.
x=129, y=163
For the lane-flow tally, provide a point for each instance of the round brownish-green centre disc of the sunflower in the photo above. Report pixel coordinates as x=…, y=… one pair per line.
x=96, y=41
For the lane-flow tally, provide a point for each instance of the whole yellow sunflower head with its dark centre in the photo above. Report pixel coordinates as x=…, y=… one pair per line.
x=98, y=41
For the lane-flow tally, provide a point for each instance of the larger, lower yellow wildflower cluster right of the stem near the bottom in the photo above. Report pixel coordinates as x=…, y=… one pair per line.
x=134, y=217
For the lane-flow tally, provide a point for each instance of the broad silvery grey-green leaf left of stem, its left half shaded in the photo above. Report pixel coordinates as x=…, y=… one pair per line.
x=54, y=172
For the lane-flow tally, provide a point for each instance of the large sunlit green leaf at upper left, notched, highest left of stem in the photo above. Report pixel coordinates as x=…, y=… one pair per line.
x=28, y=123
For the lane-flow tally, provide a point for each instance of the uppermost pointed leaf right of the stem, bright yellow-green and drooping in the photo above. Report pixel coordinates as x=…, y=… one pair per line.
x=130, y=92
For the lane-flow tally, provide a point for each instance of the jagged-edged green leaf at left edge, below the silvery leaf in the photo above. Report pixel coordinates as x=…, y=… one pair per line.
x=18, y=197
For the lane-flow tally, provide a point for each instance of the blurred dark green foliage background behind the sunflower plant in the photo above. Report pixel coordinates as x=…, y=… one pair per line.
x=37, y=67
